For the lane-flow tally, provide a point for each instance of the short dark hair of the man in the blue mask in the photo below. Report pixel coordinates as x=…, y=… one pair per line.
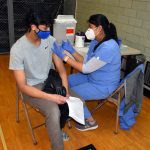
x=37, y=16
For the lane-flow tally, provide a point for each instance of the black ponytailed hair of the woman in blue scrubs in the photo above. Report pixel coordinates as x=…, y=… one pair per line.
x=109, y=28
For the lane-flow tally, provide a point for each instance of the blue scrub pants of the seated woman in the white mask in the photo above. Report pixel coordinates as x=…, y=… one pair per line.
x=80, y=84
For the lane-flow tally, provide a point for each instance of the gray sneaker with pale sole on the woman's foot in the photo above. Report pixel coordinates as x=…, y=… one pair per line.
x=88, y=126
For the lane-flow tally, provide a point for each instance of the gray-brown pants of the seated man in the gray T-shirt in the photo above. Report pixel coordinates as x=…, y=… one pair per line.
x=52, y=117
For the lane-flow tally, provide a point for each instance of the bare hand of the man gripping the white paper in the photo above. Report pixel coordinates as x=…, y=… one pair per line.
x=57, y=98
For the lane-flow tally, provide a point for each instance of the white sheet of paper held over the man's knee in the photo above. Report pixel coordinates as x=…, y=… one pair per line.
x=76, y=109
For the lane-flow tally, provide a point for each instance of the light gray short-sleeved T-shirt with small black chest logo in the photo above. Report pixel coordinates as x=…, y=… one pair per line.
x=35, y=61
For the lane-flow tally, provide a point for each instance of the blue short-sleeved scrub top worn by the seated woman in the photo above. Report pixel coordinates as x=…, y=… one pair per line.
x=108, y=75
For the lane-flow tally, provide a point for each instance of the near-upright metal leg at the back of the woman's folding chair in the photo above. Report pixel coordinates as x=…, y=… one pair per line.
x=117, y=114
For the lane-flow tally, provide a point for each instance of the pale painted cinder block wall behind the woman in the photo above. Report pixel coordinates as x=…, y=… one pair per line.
x=131, y=17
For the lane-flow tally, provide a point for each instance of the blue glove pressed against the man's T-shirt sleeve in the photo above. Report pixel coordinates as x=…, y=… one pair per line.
x=58, y=50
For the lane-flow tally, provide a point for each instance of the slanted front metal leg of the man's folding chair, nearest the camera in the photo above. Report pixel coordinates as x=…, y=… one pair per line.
x=30, y=124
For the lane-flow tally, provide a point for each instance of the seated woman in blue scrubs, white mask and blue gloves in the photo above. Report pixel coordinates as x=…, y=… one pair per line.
x=99, y=71
